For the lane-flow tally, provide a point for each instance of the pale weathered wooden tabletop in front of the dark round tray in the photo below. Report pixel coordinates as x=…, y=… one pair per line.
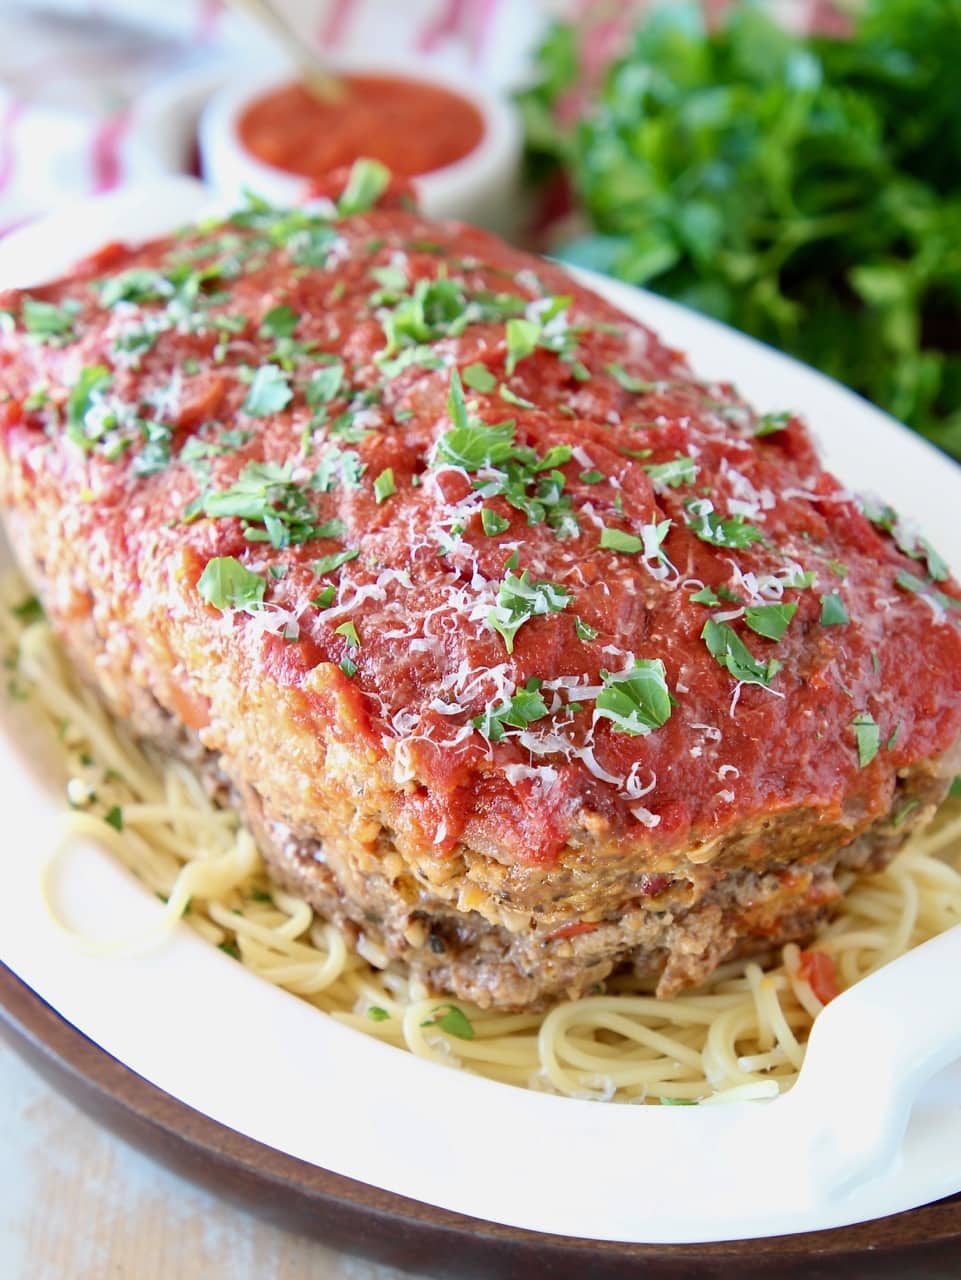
x=77, y=1204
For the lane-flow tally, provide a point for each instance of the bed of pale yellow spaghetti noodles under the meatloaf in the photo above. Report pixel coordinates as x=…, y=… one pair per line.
x=740, y=1036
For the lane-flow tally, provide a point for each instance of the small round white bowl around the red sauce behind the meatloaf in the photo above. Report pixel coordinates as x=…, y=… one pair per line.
x=482, y=189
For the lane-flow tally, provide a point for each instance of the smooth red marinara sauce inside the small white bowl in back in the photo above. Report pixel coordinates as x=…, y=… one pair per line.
x=410, y=126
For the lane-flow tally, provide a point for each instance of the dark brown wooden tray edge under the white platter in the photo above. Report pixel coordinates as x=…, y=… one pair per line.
x=358, y=1219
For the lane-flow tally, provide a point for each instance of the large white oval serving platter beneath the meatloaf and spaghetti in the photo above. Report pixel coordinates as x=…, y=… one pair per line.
x=194, y=1023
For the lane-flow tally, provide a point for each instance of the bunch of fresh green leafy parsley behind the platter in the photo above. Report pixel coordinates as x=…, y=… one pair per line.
x=804, y=190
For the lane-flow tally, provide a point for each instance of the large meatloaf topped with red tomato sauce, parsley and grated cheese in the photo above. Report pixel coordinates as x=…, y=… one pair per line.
x=527, y=655
